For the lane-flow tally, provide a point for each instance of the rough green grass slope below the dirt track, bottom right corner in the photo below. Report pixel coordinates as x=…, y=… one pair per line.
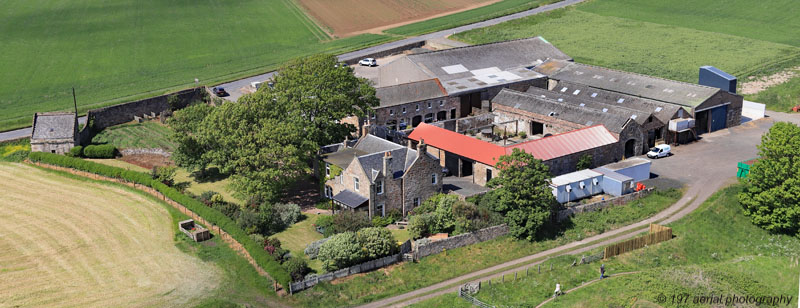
x=716, y=250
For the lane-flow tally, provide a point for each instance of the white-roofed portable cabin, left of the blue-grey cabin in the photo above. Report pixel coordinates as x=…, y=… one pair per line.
x=576, y=185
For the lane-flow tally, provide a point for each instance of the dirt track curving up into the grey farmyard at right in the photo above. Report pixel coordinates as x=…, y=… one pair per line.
x=704, y=166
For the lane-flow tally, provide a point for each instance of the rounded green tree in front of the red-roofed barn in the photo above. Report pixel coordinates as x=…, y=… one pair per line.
x=522, y=193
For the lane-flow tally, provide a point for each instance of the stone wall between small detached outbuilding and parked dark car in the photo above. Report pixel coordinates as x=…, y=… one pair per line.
x=123, y=113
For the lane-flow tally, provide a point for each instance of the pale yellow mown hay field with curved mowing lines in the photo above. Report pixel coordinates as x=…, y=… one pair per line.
x=65, y=242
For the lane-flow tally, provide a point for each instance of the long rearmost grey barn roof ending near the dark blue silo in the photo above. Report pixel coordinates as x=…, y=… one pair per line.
x=670, y=91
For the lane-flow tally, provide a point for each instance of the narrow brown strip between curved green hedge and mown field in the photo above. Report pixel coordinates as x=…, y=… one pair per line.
x=229, y=240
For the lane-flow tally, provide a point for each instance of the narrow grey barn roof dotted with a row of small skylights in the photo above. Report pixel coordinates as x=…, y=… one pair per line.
x=660, y=110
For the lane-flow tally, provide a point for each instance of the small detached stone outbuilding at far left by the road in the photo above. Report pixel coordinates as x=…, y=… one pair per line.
x=54, y=132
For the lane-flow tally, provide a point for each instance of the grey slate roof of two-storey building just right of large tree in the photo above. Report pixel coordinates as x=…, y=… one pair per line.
x=410, y=92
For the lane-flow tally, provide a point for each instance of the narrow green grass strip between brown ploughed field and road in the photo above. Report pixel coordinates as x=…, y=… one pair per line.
x=498, y=9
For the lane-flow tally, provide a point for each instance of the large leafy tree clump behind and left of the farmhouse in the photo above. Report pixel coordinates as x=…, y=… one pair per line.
x=267, y=138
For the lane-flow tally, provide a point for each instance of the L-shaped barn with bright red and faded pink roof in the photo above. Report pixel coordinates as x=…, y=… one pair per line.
x=465, y=156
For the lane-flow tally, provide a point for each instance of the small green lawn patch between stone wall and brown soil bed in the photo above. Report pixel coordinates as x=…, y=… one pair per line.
x=148, y=134
